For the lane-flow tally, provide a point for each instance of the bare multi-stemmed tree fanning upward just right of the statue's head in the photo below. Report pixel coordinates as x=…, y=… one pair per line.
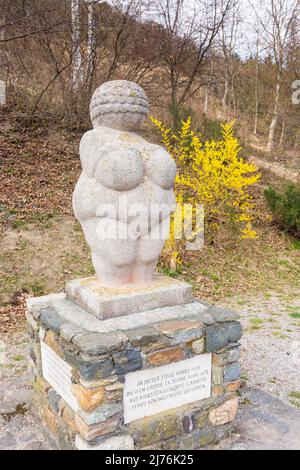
x=190, y=31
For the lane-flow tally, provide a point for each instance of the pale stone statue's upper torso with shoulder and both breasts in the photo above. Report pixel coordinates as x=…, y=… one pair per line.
x=121, y=161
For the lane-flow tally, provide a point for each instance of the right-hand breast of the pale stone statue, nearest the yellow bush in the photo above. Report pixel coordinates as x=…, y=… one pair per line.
x=159, y=166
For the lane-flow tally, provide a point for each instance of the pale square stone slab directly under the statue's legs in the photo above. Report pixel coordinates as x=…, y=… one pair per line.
x=108, y=302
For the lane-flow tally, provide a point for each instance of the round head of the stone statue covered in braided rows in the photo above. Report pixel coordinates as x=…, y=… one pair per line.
x=119, y=104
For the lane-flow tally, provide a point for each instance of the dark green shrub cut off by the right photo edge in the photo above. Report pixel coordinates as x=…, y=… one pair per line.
x=286, y=207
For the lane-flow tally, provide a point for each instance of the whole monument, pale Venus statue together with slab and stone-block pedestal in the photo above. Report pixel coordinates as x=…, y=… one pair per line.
x=101, y=346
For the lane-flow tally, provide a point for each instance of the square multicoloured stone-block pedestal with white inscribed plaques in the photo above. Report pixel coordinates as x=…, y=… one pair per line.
x=165, y=378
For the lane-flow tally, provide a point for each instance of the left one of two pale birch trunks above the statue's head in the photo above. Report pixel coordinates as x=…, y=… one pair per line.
x=77, y=59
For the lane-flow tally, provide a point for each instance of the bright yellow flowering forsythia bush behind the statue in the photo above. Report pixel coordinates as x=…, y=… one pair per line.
x=213, y=174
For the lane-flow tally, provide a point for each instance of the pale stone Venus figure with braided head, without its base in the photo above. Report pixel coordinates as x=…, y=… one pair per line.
x=124, y=196
